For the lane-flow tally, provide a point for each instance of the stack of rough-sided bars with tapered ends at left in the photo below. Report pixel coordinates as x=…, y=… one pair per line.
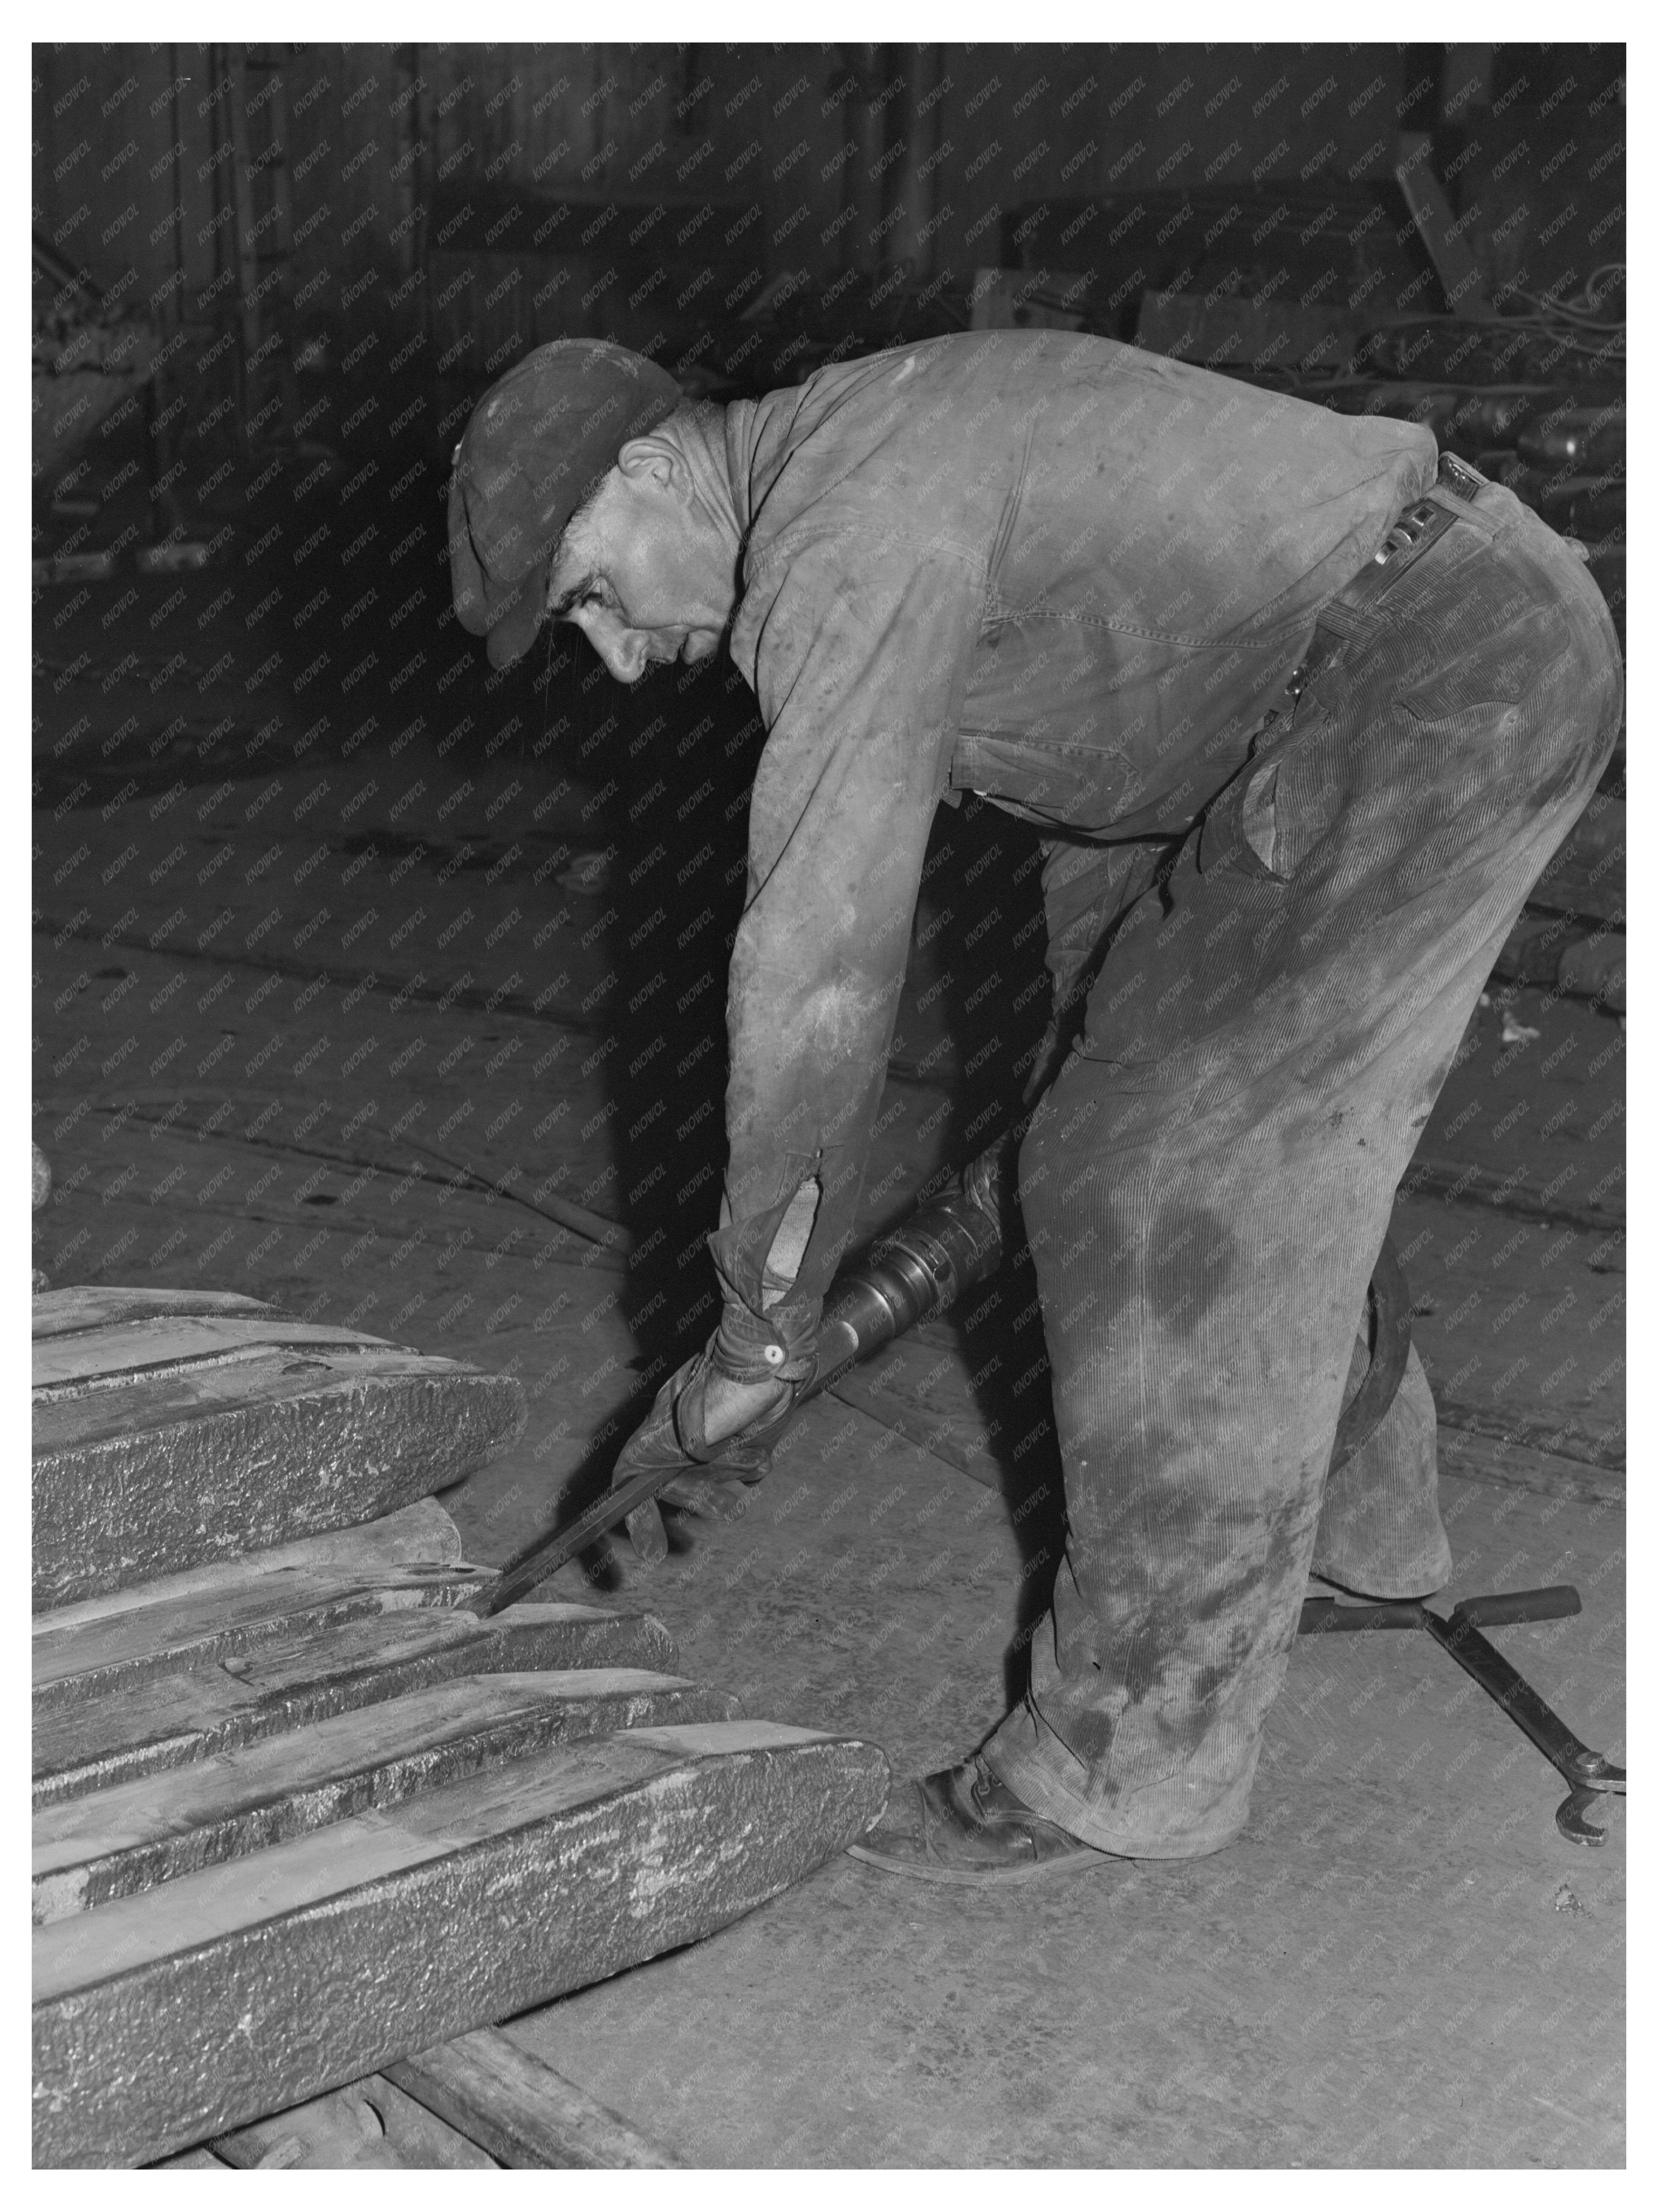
x=302, y=1808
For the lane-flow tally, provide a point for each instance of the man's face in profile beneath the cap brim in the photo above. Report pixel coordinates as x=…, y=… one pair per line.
x=642, y=574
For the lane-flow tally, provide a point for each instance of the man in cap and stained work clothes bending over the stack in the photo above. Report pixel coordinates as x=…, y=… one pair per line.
x=1303, y=713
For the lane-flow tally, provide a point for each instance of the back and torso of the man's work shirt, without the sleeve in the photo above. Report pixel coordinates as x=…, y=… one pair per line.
x=1146, y=547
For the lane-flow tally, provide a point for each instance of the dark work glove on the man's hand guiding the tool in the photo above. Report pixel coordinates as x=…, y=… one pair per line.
x=709, y=1479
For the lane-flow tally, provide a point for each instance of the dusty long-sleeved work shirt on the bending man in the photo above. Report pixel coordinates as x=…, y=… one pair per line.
x=1045, y=567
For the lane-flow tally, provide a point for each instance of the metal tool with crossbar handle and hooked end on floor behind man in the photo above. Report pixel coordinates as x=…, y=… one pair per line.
x=1591, y=1773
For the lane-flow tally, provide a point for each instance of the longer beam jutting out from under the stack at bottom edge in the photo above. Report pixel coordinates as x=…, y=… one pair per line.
x=521, y=2111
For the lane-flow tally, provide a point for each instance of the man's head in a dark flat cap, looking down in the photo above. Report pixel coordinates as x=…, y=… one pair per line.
x=576, y=497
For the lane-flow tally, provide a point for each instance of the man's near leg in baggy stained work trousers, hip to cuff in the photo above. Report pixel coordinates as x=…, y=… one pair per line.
x=1210, y=1180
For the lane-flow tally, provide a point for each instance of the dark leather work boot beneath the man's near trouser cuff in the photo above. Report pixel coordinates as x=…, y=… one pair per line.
x=965, y=1826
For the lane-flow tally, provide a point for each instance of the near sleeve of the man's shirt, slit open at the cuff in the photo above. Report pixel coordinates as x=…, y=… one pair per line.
x=859, y=660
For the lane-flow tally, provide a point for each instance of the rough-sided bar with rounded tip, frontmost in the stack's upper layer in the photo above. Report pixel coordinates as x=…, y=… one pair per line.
x=165, y=1474
